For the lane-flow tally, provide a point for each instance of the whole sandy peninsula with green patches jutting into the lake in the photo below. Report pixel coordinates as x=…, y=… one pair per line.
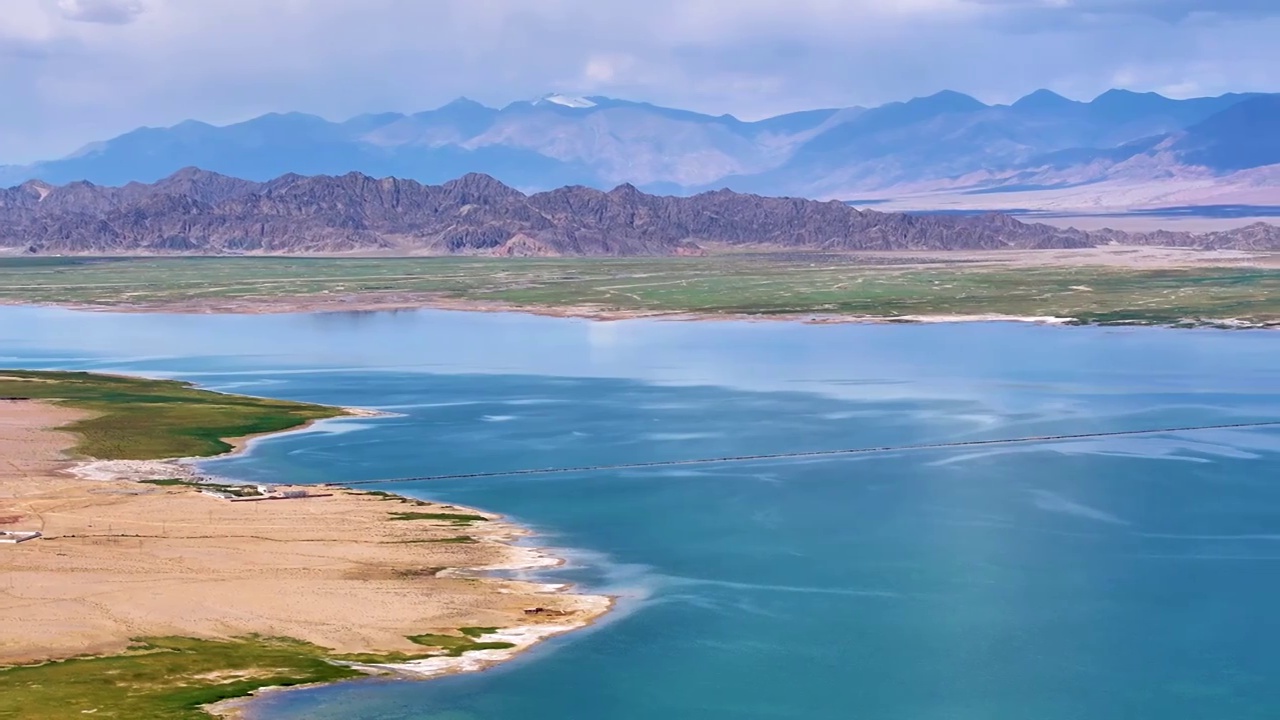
x=152, y=593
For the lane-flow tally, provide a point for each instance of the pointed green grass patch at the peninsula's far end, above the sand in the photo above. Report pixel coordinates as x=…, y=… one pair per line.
x=144, y=420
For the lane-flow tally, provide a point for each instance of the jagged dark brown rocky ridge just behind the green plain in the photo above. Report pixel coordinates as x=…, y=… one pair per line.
x=202, y=213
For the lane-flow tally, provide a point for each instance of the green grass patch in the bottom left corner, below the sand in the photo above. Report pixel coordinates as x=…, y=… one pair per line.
x=162, y=680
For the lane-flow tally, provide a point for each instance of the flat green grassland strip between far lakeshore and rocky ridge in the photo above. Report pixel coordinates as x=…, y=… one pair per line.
x=780, y=284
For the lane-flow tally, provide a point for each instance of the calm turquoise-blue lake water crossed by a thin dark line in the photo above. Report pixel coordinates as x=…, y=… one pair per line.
x=1098, y=580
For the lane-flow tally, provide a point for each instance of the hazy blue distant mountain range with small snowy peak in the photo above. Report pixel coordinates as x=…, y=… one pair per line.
x=947, y=143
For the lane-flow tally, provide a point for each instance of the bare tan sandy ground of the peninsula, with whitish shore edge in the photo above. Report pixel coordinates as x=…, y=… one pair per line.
x=121, y=560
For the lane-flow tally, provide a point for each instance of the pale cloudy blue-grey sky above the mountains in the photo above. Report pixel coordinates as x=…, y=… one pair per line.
x=79, y=71
